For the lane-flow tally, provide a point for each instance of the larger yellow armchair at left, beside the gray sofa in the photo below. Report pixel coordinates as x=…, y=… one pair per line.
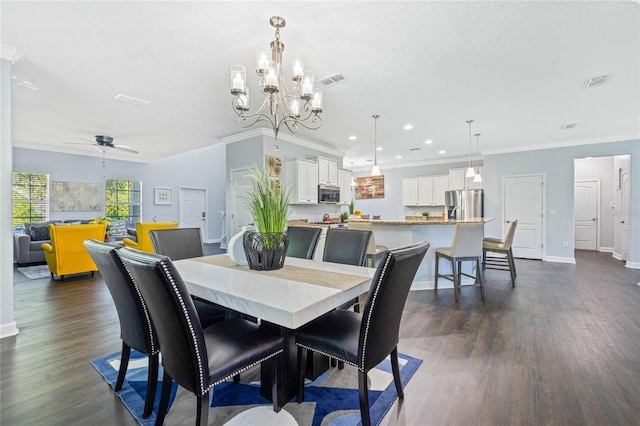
x=65, y=254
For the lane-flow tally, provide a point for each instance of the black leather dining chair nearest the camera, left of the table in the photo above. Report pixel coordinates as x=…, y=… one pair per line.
x=196, y=358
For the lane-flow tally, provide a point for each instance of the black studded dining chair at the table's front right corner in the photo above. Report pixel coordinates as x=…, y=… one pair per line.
x=363, y=341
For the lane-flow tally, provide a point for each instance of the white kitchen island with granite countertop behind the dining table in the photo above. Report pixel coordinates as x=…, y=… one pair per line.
x=438, y=232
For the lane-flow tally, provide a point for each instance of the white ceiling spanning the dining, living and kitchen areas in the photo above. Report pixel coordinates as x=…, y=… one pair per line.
x=516, y=68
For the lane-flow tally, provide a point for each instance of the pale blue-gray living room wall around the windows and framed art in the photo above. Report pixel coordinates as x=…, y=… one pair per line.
x=203, y=168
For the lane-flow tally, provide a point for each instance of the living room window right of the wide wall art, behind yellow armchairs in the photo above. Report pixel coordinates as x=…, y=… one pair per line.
x=122, y=200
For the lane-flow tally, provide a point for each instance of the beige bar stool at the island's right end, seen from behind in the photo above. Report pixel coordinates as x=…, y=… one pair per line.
x=466, y=246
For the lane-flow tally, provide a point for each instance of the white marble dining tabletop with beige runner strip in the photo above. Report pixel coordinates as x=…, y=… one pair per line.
x=289, y=303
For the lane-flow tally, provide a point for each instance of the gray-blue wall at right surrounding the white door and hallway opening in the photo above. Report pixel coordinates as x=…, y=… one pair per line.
x=557, y=165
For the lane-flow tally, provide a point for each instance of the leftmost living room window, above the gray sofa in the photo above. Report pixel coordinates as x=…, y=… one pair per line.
x=30, y=197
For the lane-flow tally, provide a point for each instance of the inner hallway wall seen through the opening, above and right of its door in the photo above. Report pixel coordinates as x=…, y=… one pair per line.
x=600, y=168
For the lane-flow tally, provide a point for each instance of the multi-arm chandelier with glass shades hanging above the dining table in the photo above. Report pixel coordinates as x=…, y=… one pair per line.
x=300, y=106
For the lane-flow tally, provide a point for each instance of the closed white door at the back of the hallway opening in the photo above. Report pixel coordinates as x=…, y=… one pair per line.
x=586, y=196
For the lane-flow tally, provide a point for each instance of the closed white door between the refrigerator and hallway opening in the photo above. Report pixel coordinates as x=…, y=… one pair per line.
x=523, y=201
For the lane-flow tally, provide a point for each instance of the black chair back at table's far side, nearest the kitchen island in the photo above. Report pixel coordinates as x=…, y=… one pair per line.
x=346, y=246
